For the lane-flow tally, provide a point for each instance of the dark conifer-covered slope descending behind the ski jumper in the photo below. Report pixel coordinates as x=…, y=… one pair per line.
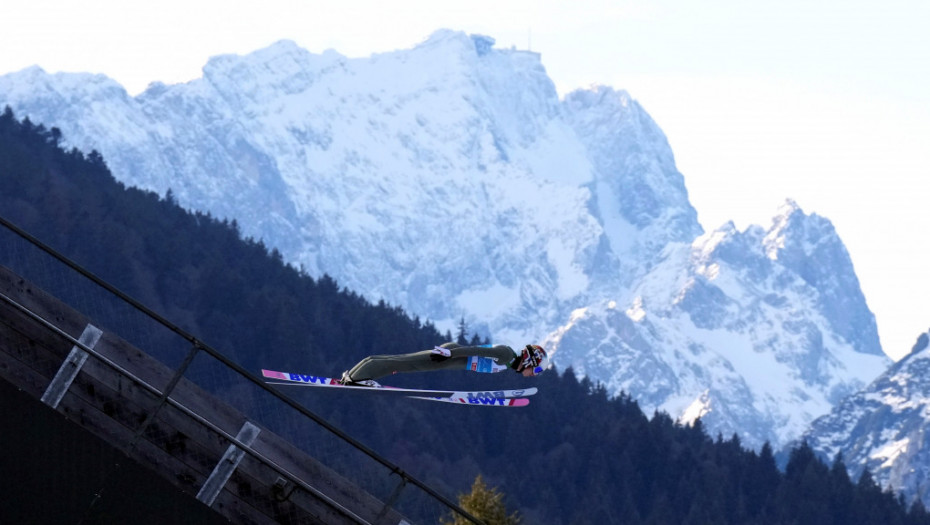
x=574, y=455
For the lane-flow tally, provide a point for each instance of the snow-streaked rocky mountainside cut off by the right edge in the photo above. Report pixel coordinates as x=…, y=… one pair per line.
x=885, y=427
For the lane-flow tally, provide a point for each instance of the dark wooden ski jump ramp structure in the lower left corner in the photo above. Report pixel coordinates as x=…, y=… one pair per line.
x=203, y=449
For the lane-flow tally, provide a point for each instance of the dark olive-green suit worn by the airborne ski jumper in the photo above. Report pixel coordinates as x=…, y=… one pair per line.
x=463, y=357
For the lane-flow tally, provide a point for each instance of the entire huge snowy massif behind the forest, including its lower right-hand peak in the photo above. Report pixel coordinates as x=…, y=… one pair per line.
x=450, y=179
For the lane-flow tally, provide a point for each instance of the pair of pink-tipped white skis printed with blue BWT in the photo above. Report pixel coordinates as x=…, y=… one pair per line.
x=503, y=398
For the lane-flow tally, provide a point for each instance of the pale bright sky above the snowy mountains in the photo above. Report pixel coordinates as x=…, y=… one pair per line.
x=825, y=102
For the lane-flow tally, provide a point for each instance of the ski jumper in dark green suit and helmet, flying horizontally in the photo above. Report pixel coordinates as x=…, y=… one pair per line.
x=529, y=362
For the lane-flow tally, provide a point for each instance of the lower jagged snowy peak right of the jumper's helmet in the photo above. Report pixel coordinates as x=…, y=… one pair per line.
x=734, y=328
